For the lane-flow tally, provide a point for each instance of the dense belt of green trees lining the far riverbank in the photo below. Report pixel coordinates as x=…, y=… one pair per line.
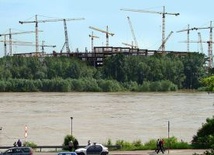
x=118, y=73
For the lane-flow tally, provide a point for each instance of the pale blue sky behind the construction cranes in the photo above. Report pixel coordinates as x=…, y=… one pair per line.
x=102, y=13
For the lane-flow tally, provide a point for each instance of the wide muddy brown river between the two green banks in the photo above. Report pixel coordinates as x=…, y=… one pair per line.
x=102, y=116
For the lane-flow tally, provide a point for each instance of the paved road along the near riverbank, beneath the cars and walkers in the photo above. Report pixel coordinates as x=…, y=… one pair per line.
x=147, y=152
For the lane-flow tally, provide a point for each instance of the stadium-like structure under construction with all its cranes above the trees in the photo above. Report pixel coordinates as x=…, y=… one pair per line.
x=97, y=54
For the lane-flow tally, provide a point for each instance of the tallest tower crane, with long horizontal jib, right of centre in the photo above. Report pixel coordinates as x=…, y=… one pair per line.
x=163, y=13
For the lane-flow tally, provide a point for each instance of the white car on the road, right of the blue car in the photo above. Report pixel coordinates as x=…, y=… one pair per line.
x=95, y=149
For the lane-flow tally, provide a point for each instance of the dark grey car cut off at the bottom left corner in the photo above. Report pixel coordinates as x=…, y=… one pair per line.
x=18, y=151
